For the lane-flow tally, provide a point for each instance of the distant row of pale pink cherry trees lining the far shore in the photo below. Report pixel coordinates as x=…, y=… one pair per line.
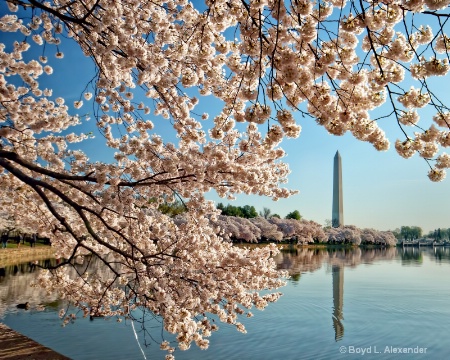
x=244, y=223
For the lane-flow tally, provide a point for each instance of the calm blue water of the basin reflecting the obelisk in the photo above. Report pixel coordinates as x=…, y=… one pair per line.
x=338, y=304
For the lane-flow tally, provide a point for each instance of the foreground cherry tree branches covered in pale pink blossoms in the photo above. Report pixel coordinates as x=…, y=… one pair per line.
x=262, y=60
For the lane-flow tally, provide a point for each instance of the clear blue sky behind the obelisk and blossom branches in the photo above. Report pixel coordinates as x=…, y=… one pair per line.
x=381, y=190
